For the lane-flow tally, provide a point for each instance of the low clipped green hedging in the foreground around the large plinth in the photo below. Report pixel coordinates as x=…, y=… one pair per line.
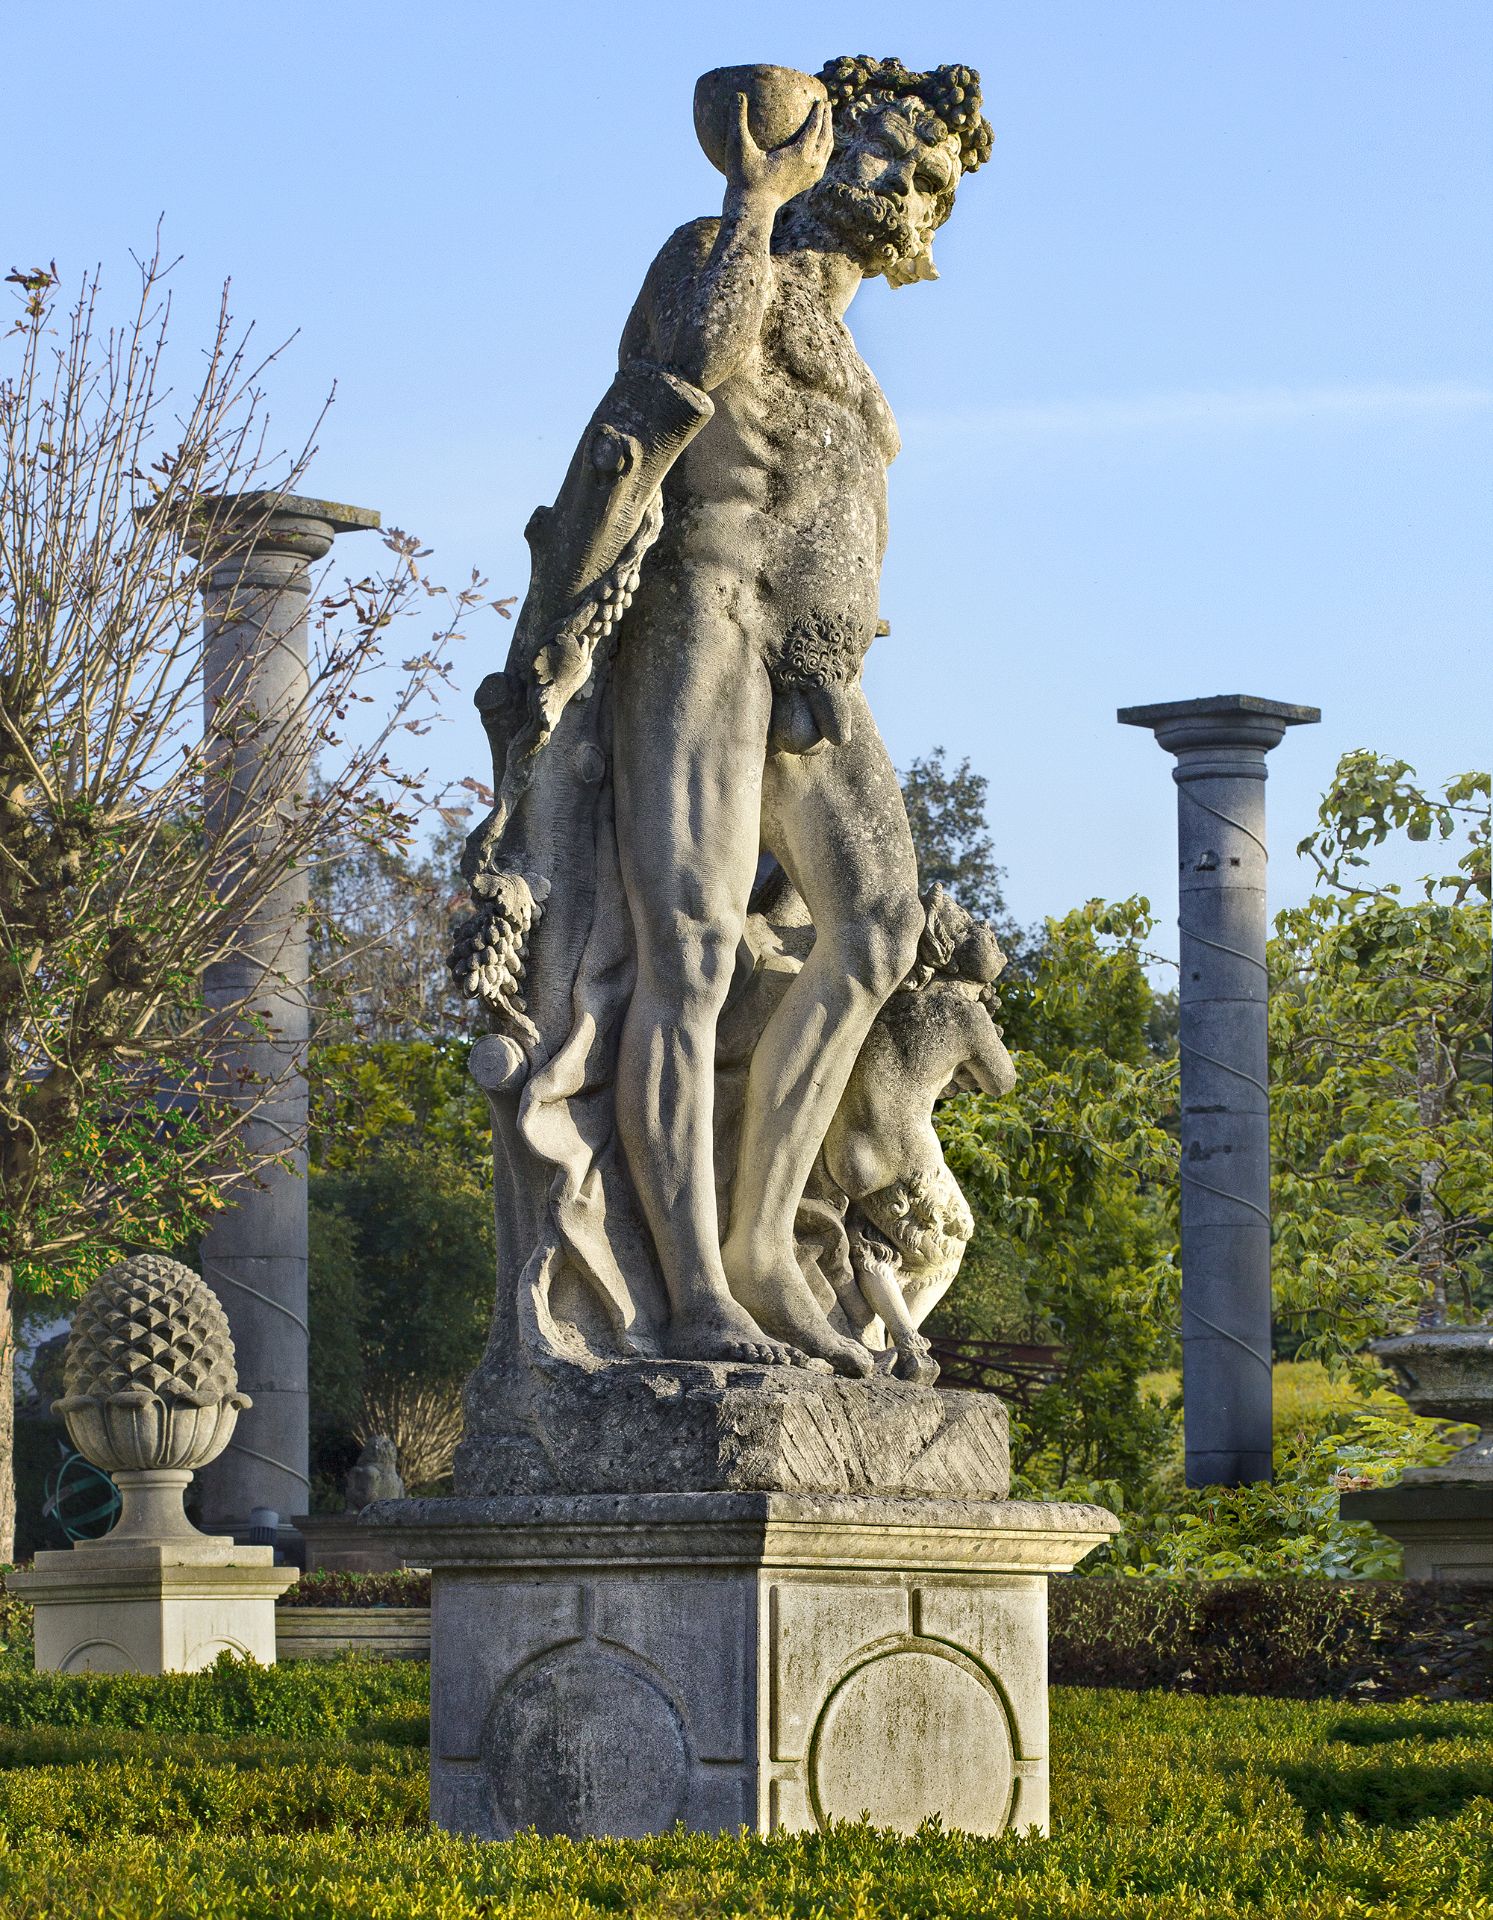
x=1164, y=1808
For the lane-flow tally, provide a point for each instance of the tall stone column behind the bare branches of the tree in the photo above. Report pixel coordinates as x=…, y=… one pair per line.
x=254, y=1255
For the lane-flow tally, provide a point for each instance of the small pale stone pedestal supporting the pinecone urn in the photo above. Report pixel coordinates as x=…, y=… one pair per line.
x=153, y=1608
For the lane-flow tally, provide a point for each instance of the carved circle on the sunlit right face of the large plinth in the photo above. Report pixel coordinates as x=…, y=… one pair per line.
x=909, y=1735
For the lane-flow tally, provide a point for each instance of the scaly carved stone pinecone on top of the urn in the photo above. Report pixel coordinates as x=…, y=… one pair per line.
x=153, y=1326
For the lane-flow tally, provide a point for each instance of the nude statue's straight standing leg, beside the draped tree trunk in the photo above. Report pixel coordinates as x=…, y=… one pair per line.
x=690, y=742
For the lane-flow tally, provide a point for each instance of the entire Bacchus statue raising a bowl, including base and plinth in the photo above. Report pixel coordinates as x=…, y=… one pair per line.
x=713, y=1520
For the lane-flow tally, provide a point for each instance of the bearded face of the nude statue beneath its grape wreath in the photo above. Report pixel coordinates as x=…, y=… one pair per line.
x=888, y=191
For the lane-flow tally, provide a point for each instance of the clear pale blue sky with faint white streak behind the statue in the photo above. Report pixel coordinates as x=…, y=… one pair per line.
x=1200, y=404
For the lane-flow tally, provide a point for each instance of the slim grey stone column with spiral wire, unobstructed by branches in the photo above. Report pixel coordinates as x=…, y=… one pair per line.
x=1220, y=775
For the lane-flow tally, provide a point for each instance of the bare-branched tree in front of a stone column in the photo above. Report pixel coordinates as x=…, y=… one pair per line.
x=122, y=873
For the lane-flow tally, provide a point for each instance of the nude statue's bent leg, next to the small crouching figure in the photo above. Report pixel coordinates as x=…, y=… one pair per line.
x=838, y=823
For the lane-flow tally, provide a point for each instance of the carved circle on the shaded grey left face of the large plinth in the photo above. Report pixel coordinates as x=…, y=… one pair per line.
x=582, y=1742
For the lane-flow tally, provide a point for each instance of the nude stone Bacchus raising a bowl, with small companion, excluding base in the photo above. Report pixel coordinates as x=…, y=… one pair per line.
x=684, y=706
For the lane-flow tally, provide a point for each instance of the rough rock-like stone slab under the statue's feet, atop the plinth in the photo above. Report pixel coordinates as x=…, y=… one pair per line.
x=665, y=1428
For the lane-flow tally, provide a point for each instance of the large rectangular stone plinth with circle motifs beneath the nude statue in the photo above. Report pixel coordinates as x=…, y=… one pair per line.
x=607, y=1666
